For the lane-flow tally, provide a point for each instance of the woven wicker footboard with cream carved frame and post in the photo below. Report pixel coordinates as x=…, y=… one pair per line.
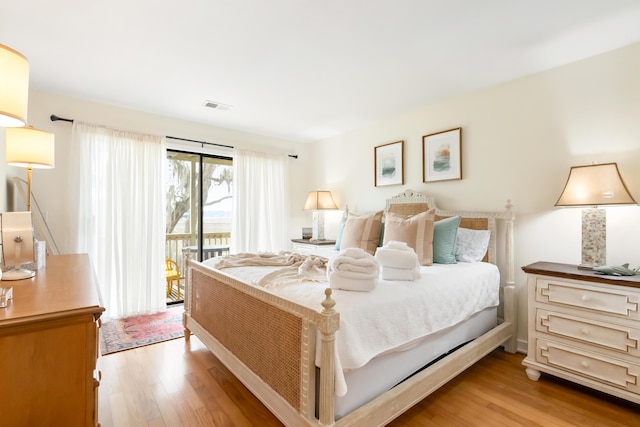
x=269, y=343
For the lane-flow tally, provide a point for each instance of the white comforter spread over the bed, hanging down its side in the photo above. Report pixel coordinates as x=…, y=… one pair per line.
x=396, y=314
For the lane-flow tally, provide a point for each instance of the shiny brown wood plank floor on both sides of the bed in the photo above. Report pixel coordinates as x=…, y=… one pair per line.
x=175, y=384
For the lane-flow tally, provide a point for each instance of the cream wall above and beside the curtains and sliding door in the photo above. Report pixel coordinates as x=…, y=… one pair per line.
x=50, y=185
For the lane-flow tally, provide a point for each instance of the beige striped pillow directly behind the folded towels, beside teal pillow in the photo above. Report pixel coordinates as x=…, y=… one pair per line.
x=416, y=231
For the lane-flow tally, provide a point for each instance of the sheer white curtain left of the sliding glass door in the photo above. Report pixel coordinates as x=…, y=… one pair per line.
x=120, y=215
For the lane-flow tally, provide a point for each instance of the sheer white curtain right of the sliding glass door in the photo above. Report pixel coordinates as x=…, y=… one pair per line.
x=260, y=202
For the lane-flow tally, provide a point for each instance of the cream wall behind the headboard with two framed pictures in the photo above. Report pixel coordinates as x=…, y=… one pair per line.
x=518, y=142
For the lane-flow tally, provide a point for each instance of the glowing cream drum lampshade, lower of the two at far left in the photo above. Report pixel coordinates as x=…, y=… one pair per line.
x=30, y=147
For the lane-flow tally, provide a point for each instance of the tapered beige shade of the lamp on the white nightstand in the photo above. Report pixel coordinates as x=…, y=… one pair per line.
x=594, y=185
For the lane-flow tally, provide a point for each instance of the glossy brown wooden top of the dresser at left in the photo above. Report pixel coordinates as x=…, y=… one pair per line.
x=66, y=285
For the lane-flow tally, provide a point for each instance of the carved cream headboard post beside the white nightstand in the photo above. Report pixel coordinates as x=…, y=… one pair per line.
x=510, y=300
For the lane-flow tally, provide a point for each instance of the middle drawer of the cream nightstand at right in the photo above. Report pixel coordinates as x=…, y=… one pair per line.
x=618, y=338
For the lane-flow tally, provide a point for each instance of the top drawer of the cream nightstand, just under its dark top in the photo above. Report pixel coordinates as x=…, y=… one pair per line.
x=605, y=299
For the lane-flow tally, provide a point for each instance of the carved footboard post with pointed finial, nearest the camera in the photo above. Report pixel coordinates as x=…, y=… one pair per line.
x=330, y=322
